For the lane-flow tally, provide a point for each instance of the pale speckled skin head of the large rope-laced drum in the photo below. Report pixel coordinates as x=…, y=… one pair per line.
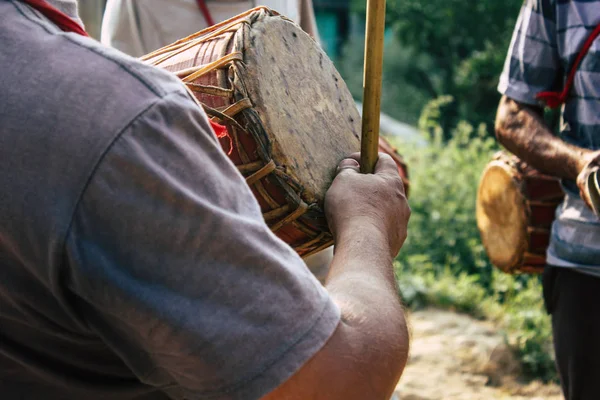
x=303, y=103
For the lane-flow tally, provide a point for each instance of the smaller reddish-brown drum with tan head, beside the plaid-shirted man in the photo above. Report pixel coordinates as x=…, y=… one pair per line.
x=515, y=209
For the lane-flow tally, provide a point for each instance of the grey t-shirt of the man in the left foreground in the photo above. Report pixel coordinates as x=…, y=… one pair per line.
x=134, y=261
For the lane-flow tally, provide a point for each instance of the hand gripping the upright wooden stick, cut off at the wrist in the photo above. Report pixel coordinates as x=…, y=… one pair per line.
x=377, y=200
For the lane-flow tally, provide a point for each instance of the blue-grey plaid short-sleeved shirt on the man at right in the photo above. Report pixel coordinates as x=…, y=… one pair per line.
x=546, y=41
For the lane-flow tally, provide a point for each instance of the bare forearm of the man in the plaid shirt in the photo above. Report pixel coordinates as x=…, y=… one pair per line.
x=522, y=130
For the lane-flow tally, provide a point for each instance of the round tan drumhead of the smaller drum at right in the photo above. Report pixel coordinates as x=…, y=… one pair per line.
x=501, y=216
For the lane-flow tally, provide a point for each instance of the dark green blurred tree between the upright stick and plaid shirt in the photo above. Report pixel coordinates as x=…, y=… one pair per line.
x=467, y=43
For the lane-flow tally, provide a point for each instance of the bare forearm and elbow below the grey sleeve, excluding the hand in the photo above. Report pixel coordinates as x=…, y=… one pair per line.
x=366, y=354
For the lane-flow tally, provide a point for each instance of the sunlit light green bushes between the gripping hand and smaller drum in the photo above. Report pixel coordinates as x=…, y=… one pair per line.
x=443, y=262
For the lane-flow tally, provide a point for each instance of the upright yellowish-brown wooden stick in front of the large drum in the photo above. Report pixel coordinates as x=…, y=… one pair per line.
x=372, y=84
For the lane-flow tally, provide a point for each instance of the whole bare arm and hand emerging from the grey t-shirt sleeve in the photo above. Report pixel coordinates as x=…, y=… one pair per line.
x=366, y=355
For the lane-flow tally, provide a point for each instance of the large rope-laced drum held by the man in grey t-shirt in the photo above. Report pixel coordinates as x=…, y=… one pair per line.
x=289, y=116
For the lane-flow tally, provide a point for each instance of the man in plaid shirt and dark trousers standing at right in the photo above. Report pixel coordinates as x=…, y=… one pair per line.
x=543, y=42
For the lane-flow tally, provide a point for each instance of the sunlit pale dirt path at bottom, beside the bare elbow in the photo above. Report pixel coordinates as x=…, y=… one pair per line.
x=457, y=357
